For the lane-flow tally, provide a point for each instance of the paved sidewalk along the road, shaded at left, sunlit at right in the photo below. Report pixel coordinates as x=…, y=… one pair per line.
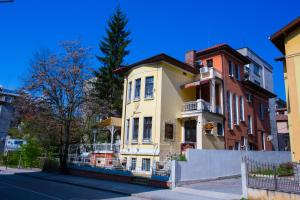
x=134, y=190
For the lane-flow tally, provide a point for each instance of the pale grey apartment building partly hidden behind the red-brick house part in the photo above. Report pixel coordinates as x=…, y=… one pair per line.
x=260, y=72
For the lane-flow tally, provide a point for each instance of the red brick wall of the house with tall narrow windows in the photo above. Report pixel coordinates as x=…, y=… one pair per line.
x=220, y=60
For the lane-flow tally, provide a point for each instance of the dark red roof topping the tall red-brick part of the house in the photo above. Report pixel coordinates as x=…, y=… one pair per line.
x=223, y=47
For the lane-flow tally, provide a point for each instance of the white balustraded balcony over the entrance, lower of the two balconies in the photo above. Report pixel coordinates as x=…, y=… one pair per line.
x=200, y=105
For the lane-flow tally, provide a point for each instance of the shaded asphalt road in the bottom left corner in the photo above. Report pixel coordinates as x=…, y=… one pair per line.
x=14, y=187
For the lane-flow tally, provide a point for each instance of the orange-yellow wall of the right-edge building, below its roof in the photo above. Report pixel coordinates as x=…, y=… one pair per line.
x=292, y=84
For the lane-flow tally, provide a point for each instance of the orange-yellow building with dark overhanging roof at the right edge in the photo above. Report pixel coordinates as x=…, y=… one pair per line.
x=287, y=40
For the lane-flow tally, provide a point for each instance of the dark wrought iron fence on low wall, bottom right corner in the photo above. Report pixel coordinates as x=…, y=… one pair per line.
x=278, y=177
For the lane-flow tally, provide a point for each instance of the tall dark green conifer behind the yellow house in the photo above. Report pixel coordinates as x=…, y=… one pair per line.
x=113, y=47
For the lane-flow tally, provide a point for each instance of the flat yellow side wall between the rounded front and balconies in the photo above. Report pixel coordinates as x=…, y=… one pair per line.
x=173, y=98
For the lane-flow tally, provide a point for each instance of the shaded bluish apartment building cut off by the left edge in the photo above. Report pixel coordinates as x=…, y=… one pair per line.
x=6, y=113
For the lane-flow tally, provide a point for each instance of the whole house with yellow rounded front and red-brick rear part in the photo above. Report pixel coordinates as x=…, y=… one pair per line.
x=204, y=103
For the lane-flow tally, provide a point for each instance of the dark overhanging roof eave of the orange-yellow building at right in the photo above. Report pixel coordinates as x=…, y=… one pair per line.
x=278, y=37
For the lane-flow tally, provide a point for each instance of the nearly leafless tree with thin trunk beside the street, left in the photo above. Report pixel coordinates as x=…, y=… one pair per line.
x=58, y=81
